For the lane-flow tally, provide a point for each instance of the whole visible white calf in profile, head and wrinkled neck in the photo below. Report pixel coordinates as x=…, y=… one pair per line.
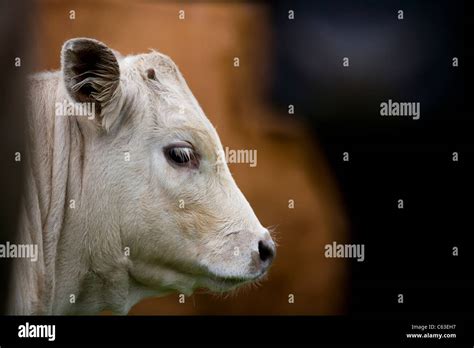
x=128, y=193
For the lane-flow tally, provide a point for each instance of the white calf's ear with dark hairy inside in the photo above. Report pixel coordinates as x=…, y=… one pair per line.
x=91, y=73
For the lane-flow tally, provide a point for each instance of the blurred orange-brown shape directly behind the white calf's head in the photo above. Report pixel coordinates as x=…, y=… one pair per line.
x=289, y=164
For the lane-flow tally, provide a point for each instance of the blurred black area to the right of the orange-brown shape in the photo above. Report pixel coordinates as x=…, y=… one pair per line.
x=408, y=251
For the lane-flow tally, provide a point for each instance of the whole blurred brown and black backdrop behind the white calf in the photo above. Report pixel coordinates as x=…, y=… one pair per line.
x=298, y=62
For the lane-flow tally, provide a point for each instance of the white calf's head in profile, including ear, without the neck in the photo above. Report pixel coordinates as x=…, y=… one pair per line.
x=159, y=165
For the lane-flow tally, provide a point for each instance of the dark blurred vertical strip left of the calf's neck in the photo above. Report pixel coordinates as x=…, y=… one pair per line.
x=15, y=19
